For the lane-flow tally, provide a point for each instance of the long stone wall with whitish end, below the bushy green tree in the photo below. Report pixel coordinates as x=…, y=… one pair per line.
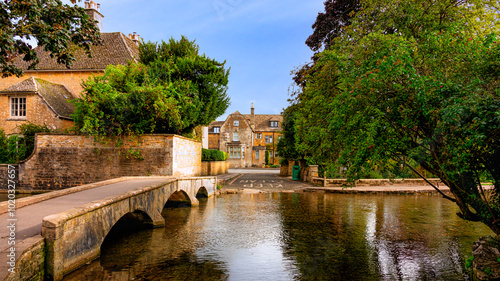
x=62, y=161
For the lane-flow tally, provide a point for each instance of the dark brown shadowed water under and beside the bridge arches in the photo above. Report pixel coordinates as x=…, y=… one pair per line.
x=134, y=251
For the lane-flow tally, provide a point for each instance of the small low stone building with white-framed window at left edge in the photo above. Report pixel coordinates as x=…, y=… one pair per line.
x=37, y=101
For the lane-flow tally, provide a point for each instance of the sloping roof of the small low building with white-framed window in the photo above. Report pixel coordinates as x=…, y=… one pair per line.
x=56, y=96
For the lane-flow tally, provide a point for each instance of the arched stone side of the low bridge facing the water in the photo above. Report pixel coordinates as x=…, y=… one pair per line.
x=74, y=237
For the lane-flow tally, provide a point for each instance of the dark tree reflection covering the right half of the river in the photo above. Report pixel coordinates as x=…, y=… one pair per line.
x=348, y=237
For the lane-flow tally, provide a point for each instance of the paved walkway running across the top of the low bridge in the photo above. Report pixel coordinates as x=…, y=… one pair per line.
x=29, y=218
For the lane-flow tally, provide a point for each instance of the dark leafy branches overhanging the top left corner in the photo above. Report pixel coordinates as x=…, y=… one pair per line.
x=50, y=23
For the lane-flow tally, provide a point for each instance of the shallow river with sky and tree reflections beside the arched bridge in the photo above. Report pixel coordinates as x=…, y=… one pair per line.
x=295, y=236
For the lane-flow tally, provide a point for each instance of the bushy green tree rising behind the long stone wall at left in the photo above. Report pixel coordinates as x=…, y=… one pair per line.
x=172, y=90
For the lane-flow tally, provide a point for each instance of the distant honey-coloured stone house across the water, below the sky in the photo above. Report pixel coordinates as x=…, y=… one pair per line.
x=247, y=137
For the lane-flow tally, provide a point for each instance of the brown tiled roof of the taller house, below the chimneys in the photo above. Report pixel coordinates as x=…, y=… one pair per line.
x=115, y=49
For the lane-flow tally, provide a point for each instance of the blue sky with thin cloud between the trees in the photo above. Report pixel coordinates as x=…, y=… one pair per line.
x=261, y=40
